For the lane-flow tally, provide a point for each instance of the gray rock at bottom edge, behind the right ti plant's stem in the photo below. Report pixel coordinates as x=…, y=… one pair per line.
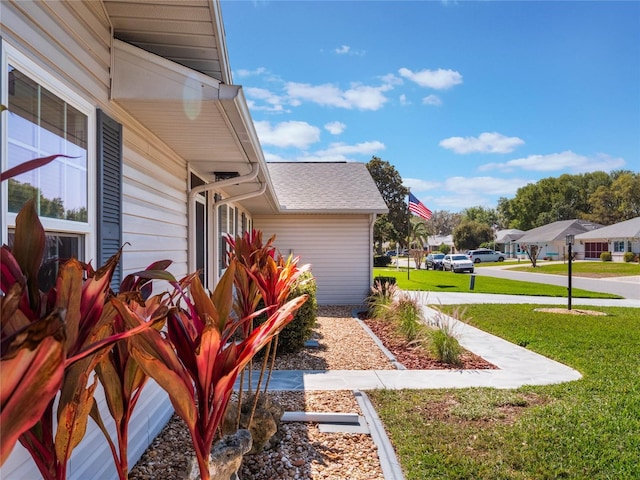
x=225, y=458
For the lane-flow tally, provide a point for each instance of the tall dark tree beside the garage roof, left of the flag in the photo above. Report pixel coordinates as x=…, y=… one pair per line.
x=395, y=224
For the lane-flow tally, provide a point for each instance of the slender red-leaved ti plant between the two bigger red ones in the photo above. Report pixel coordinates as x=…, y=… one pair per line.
x=120, y=375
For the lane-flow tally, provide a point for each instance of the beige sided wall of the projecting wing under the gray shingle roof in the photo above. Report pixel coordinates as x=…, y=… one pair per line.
x=338, y=247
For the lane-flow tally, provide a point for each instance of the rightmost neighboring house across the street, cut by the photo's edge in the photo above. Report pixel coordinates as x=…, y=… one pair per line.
x=617, y=238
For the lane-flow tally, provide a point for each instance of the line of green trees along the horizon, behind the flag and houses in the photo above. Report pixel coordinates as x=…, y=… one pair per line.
x=599, y=197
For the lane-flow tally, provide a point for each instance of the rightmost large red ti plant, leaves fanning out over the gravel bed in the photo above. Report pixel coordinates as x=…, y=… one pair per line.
x=197, y=363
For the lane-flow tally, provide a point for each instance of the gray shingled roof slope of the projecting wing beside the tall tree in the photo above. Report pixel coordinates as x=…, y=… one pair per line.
x=325, y=187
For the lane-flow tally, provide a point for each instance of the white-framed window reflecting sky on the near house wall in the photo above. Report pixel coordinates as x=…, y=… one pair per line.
x=45, y=118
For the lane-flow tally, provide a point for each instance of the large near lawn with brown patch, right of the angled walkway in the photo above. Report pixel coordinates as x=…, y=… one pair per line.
x=584, y=429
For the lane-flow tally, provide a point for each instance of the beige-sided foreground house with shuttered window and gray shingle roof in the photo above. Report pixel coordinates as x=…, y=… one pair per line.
x=166, y=162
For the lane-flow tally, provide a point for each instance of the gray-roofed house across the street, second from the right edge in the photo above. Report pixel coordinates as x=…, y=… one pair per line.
x=551, y=238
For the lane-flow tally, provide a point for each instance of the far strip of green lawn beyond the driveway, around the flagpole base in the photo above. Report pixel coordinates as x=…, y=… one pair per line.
x=436, y=281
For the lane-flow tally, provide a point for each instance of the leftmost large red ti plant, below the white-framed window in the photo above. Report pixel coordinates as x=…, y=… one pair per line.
x=50, y=343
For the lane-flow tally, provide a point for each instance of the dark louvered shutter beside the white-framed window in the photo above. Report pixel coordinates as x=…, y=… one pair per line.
x=109, y=183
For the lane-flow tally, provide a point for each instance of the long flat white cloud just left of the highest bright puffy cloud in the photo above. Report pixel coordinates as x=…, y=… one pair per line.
x=360, y=97
